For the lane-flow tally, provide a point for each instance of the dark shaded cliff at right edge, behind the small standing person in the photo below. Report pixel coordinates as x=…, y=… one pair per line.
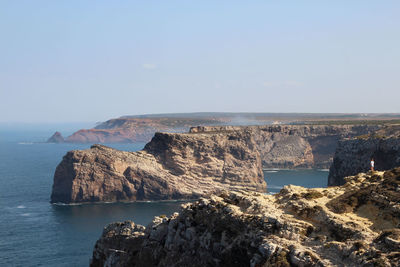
x=354, y=155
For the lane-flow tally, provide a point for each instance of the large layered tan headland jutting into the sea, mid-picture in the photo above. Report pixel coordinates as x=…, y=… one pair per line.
x=171, y=166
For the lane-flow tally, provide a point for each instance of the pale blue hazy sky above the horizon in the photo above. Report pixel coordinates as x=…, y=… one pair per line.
x=70, y=61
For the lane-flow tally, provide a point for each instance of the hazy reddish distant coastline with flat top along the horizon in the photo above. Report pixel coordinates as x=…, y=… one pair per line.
x=141, y=128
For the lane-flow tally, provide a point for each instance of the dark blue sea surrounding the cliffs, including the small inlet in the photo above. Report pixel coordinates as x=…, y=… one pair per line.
x=34, y=232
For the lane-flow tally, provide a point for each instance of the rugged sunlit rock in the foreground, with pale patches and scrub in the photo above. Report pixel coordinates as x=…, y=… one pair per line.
x=353, y=225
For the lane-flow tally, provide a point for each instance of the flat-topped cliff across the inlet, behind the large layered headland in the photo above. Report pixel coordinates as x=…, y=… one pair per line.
x=296, y=146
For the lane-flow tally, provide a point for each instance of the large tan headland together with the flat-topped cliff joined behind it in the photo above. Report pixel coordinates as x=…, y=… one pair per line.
x=189, y=165
